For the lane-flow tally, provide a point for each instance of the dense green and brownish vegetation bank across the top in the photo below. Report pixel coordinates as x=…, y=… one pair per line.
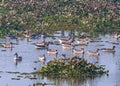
x=43, y=15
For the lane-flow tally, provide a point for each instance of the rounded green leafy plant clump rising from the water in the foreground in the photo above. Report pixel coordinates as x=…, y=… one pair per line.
x=71, y=67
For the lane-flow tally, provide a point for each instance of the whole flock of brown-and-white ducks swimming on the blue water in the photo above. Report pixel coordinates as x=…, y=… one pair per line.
x=66, y=43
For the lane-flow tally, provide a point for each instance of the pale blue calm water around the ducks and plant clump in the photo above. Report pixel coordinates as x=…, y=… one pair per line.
x=30, y=54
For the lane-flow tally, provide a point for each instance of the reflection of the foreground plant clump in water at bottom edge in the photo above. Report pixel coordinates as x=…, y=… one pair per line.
x=73, y=81
